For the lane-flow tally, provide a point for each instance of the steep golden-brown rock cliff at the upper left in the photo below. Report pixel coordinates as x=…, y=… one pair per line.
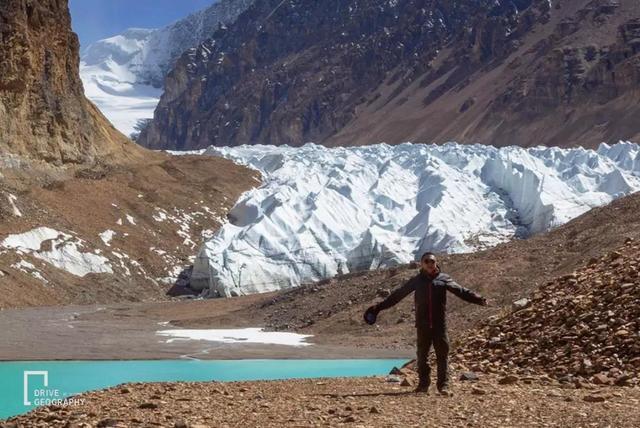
x=43, y=112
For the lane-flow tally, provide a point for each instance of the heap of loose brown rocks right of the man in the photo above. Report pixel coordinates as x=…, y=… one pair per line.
x=585, y=324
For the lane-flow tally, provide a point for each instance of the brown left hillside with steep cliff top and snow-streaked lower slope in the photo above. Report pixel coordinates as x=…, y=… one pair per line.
x=86, y=215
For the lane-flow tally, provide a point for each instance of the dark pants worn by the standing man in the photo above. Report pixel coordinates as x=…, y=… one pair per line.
x=440, y=342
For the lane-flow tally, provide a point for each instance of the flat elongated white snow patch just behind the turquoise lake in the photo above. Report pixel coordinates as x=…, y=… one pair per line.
x=244, y=335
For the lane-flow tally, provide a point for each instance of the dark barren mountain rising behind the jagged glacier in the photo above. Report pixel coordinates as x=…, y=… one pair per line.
x=561, y=72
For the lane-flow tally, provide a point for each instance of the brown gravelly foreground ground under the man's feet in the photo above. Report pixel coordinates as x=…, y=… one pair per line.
x=362, y=402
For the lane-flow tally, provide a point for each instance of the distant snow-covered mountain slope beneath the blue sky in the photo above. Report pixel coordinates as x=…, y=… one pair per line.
x=124, y=74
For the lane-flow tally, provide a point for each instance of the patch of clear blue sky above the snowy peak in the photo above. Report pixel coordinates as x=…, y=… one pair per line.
x=96, y=19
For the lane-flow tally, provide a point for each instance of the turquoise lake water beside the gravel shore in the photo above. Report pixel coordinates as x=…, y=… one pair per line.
x=26, y=384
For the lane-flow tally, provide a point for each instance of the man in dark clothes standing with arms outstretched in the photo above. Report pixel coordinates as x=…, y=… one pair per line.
x=430, y=288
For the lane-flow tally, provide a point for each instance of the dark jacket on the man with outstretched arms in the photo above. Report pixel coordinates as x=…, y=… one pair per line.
x=430, y=299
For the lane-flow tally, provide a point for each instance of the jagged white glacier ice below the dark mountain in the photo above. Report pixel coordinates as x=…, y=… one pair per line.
x=326, y=211
